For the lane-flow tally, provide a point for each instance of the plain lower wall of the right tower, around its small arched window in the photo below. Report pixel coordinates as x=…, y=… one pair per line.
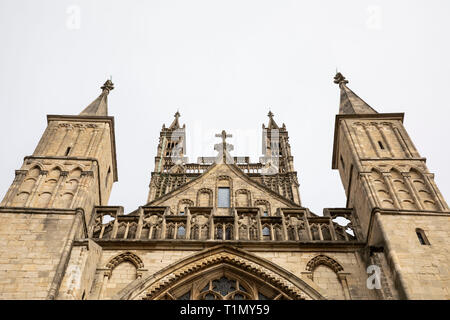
x=424, y=269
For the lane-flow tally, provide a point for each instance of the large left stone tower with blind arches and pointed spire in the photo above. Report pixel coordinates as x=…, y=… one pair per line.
x=53, y=194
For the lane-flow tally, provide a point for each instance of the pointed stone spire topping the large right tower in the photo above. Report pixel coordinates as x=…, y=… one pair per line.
x=350, y=102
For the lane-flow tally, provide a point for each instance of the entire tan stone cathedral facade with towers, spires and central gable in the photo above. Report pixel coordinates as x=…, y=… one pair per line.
x=224, y=228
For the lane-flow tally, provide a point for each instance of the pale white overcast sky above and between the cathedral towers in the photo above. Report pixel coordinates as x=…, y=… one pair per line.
x=223, y=64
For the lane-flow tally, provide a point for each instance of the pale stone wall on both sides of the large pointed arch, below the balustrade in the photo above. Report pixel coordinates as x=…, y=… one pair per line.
x=330, y=281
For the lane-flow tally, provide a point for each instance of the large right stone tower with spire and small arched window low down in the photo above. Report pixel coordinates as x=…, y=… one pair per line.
x=402, y=214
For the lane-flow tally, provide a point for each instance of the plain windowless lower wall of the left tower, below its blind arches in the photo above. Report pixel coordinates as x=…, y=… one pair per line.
x=31, y=244
